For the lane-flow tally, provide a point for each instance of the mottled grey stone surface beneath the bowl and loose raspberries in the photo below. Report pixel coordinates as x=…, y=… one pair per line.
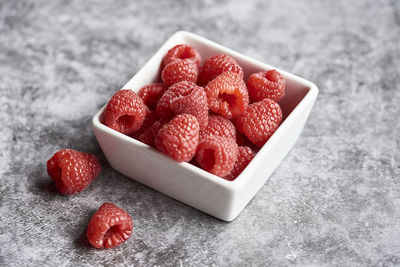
x=335, y=199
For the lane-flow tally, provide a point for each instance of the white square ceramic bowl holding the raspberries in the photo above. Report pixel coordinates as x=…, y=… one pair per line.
x=188, y=183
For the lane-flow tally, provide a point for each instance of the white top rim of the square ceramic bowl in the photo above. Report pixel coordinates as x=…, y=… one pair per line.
x=236, y=184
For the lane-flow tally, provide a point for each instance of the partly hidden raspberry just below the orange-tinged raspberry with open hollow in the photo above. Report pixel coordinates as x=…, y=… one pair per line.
x=218, y=125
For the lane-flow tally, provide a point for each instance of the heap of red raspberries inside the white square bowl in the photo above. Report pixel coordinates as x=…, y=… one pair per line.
x=203, y=114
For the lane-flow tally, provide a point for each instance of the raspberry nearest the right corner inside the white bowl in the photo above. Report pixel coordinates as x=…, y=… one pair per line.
x=266, y=84
